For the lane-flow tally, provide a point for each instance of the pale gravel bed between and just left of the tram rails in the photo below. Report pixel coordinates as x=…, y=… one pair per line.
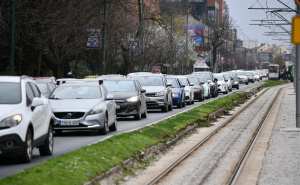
x=217, y=159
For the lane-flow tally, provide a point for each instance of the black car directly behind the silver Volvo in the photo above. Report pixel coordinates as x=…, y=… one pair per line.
x=129, y=96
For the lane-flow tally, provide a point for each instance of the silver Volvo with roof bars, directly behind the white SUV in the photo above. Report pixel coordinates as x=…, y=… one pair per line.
x=83, y=106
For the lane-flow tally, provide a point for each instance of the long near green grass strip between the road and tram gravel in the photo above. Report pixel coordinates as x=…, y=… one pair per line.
x=83, y=165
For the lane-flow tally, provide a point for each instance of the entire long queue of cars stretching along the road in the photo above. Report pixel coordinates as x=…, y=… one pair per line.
x=35, y=108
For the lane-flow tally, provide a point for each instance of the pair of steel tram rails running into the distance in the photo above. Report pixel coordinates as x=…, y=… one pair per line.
x=169, y=168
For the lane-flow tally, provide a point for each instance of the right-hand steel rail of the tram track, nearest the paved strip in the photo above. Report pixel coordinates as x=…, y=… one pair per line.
x=242, y=161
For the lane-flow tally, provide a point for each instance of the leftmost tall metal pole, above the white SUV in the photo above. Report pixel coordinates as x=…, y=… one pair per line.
x=12, y=38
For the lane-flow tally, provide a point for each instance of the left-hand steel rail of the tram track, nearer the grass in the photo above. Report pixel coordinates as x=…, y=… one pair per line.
x=165, y=171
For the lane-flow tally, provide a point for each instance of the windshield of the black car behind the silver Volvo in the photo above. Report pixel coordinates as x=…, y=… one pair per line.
x=119, y=86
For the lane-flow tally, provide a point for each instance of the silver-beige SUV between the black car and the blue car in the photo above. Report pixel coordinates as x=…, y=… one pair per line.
x=158, y=92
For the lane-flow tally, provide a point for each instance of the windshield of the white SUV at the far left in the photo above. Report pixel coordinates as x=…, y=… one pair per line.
x=10, y=93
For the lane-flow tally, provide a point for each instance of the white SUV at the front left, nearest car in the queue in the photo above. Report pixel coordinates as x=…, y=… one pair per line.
x=25, y=119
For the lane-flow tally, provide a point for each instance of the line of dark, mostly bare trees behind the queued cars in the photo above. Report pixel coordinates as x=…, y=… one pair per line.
x=50, y=36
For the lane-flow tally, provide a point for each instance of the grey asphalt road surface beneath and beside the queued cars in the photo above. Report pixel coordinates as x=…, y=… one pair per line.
x=70, y=141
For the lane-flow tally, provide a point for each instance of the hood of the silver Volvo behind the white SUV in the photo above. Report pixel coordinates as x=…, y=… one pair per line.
x=74, y=103
